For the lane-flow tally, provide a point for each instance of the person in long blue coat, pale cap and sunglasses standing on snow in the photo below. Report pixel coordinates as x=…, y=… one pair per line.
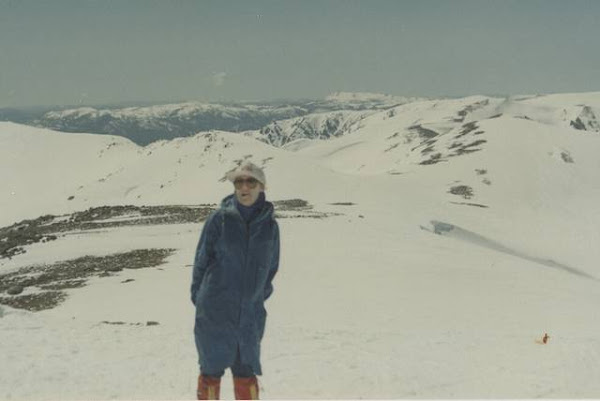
x=236, y=260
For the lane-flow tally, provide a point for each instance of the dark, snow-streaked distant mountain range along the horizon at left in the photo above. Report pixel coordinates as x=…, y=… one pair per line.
x=147, y=124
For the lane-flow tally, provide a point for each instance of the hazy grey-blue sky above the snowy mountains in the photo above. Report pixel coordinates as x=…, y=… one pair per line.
x=64, y=52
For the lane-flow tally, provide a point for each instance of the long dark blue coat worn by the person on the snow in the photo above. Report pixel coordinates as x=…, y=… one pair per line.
x=233, y=271
